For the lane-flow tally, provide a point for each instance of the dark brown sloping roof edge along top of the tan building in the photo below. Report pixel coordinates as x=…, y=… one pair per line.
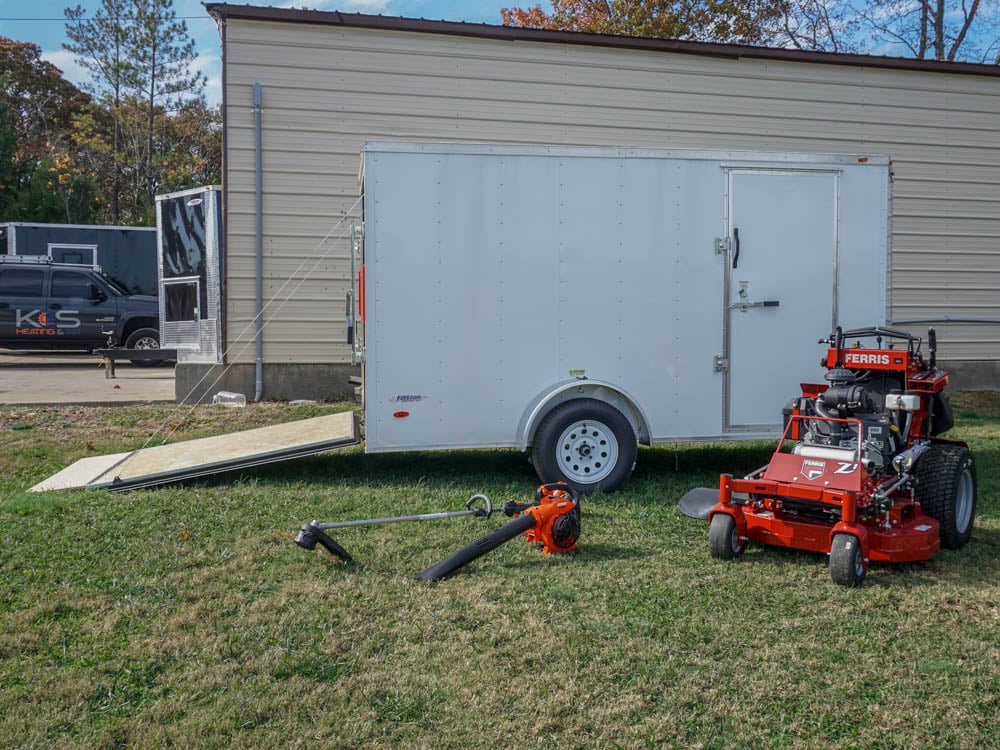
x=223, y=11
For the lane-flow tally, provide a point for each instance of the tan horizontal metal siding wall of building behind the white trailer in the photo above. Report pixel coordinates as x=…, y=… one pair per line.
x=330, y=81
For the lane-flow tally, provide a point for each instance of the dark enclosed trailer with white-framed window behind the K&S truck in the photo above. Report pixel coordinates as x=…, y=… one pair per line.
x=126, y=254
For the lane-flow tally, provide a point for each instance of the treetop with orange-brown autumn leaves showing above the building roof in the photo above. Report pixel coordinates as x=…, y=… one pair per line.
x=736, y=21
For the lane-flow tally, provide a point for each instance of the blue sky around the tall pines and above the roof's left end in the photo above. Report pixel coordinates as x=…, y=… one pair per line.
x=43, y=22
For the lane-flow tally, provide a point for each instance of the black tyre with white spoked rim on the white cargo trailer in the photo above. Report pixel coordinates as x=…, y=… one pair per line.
x=586, y=443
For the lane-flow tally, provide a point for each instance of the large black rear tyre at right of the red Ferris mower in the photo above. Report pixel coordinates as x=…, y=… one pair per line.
x=946, y=486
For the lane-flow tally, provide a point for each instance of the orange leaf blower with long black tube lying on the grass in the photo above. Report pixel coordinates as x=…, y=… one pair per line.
x=551, y=522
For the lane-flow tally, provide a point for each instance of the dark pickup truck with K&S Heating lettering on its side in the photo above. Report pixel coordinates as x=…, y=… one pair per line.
x=46, y=305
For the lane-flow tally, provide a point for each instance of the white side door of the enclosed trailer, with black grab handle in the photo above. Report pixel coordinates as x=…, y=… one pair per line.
x=781, y=287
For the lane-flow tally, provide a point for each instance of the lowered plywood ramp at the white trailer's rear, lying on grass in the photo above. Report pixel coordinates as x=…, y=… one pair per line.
x=174, y=462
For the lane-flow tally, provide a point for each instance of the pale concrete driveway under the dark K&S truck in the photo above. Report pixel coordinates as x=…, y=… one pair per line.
x=78, y=378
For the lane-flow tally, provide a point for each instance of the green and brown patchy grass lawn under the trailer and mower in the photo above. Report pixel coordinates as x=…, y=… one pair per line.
x=186, y=617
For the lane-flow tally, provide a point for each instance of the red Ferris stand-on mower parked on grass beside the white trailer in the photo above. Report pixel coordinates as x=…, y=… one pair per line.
x=861, y=472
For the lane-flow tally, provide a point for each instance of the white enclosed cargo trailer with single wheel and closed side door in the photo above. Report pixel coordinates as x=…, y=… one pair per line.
x=576, y=301
